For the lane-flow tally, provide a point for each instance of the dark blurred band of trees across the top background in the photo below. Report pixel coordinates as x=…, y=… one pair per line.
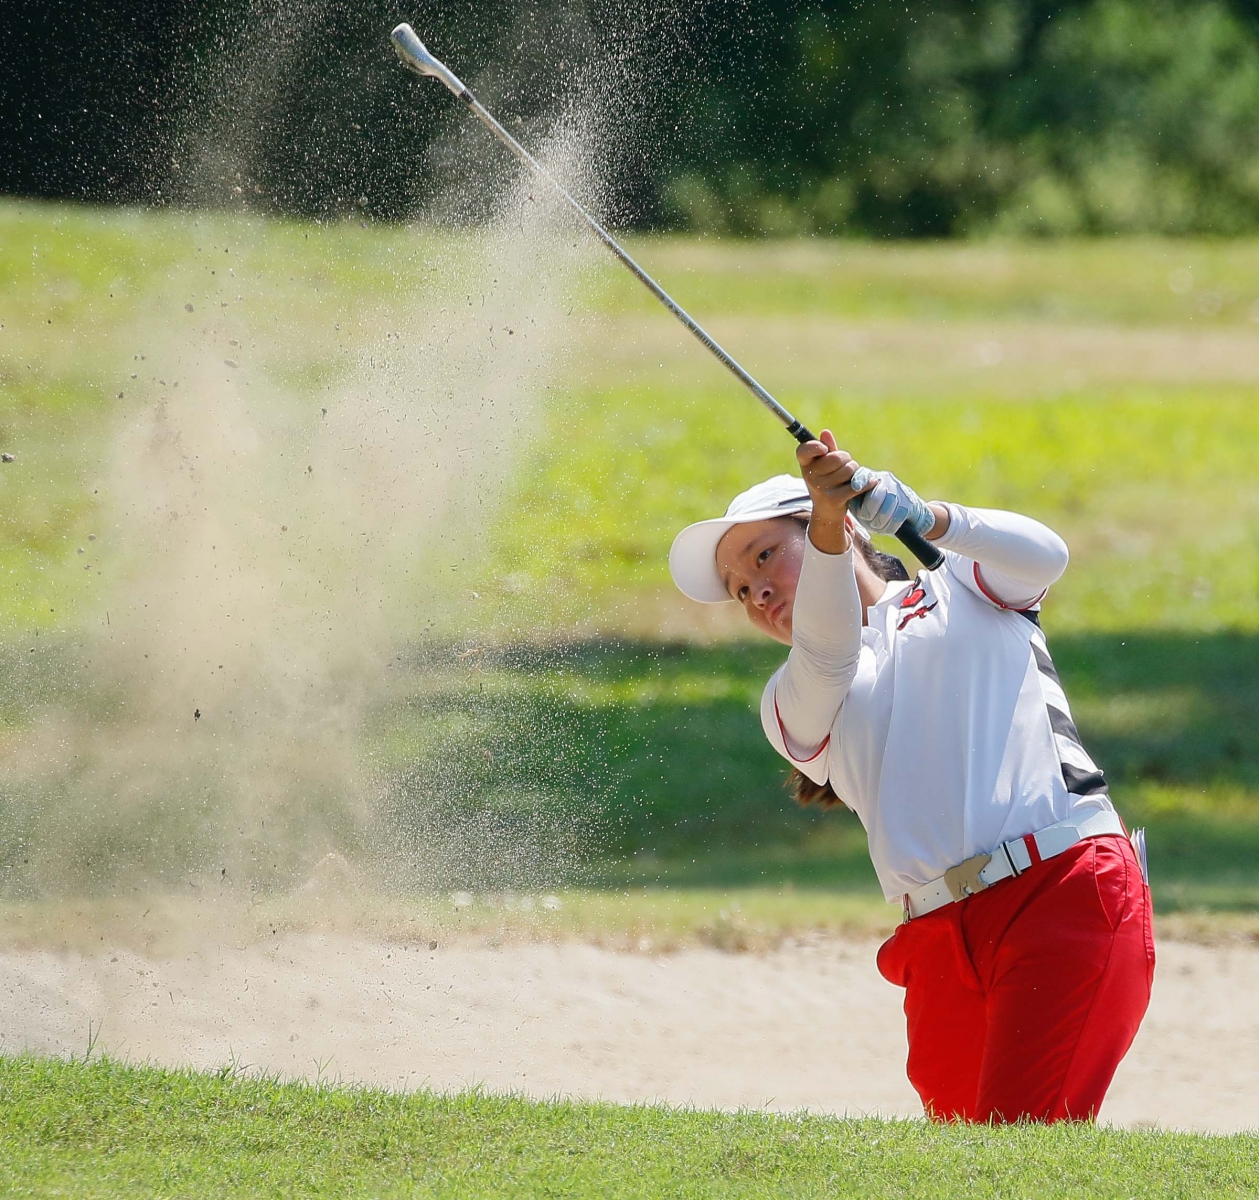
x=929, y=119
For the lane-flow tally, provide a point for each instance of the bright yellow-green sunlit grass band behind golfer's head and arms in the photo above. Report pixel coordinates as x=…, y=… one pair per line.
x=625, y=469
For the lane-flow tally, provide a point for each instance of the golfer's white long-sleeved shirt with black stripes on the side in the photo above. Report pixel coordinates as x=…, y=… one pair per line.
x=941, y=722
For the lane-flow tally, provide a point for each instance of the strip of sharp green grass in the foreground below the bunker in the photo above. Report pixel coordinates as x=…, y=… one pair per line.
x=101, y=1130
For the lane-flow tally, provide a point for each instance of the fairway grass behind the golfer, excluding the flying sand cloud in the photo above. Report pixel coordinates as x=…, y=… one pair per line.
x=1111, y=388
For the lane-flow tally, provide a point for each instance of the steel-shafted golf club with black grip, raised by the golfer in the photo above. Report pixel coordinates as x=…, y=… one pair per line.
x=416, y=56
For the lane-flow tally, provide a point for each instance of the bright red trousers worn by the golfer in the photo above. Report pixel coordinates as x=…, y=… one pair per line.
x=1022, y=1000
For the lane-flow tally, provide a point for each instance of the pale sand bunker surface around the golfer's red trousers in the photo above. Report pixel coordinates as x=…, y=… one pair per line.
x=808, y=1027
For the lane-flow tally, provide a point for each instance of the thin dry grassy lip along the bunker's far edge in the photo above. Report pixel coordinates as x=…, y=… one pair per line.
x=634, y=920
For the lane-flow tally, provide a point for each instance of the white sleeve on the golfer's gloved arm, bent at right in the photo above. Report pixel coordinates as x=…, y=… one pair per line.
x=1008, y=558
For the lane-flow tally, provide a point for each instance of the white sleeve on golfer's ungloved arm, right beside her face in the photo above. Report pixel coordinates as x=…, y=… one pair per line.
x=804, y=697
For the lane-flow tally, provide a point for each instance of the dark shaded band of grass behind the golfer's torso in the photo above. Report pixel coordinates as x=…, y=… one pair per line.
x=658, y=747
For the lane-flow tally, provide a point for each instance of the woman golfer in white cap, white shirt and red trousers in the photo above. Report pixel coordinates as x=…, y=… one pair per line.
x=931, y=708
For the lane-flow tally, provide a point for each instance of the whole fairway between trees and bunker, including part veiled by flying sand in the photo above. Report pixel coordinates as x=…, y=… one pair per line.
x=545, y=673
